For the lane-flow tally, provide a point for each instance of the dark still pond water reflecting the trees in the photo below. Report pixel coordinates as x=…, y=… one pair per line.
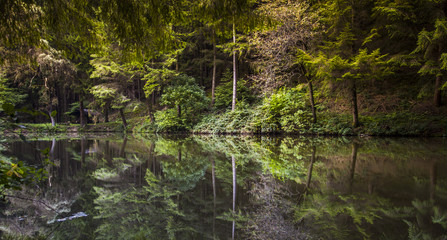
x=205, y=187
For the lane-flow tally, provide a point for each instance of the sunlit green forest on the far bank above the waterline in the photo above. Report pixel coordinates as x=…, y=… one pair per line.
x=328, y=67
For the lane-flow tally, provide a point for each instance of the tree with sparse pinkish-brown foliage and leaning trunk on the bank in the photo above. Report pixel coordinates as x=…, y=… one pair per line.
x=276, y=49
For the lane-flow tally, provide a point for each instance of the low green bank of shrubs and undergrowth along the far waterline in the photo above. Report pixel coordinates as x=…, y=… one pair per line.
x=248, y=119
